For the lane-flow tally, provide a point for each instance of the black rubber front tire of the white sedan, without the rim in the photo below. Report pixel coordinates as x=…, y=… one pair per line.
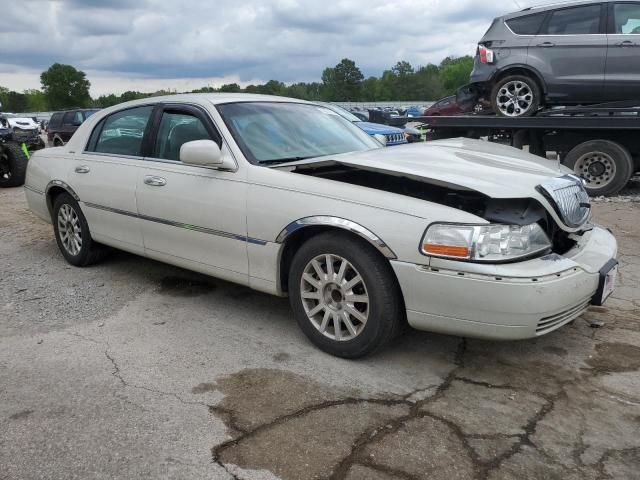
x=386, y=313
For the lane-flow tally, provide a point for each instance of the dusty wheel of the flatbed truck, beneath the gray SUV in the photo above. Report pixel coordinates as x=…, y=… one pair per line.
x=605, y=166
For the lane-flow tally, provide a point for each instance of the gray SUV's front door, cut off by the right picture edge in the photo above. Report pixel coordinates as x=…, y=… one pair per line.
x=622, y=78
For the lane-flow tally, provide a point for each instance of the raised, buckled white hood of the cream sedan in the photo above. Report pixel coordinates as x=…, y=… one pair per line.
x=491, y=169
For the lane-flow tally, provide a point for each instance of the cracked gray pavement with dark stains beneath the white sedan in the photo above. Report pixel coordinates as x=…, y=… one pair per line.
x=135, y=369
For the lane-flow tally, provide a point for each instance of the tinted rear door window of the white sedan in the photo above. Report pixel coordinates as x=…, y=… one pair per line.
x=121, y=133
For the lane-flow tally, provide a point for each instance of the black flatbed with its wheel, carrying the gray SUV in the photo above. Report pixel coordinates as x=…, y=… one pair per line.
x=601, y=143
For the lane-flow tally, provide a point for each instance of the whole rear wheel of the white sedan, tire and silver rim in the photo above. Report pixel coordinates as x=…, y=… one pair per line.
x=72, y=233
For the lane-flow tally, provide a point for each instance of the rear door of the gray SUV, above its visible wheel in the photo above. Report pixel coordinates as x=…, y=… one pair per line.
x=571, y=52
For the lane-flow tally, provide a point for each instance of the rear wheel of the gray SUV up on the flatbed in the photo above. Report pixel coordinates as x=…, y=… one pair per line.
x=516, y=96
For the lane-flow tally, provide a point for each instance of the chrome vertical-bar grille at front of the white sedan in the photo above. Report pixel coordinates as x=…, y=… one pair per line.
x=569, y=198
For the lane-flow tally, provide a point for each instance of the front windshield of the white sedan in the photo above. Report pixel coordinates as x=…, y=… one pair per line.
x=281, y=132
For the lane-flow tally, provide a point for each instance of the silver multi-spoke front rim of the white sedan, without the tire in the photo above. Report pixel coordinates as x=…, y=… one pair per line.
x=334, y=297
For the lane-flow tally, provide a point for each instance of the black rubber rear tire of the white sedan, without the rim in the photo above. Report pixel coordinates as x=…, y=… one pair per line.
x=89, y=252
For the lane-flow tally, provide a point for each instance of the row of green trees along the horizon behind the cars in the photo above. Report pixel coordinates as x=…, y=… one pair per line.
x=63, y=86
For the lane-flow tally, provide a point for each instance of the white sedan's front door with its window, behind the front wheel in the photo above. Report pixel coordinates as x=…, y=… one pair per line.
x=190, y=215
